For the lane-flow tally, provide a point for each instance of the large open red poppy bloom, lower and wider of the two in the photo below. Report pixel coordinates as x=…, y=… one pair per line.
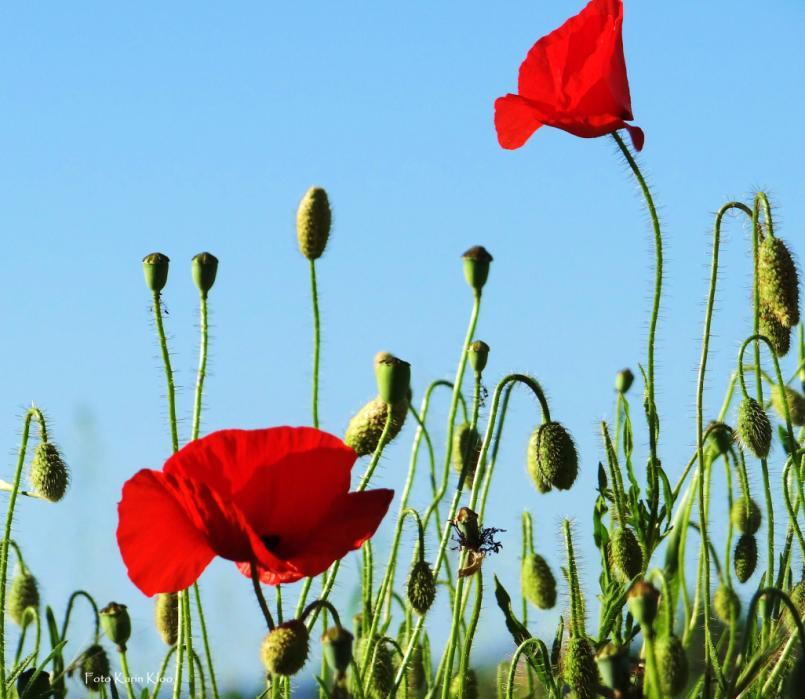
x=276, y=498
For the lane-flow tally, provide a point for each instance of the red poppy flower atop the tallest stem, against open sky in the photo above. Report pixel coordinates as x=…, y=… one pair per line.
x=573, y=79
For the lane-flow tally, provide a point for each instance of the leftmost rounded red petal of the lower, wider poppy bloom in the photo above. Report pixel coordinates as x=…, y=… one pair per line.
x=161, y=548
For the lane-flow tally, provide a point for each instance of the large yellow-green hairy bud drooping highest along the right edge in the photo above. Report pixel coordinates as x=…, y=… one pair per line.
x=778, y=281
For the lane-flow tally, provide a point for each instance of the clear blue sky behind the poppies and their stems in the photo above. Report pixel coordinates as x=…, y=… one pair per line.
x=184, y=127
